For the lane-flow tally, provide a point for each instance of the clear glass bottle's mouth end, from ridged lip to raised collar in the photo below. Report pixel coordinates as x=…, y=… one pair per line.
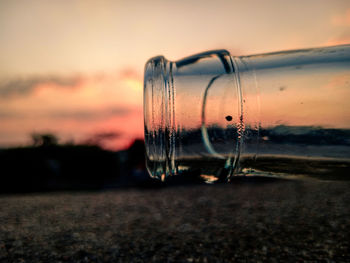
x=206, y=89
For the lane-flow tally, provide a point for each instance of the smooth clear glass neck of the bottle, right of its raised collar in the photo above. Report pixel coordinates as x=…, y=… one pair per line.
x=295, y=104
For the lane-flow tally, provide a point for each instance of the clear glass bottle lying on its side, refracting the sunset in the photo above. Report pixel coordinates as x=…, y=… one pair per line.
x=214, y=116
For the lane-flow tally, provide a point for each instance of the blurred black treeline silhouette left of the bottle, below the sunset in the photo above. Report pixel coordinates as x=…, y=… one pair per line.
x=47, y=166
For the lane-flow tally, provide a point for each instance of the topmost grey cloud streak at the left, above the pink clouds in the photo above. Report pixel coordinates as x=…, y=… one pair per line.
x=24, y=86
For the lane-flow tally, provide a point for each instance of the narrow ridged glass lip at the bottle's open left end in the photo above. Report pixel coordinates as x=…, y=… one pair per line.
x=159, y=117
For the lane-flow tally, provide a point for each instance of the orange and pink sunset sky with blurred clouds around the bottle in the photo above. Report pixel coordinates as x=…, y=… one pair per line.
x=75, y=68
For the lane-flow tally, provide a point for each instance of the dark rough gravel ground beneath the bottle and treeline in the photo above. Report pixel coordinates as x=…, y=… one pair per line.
x=272, y=221
